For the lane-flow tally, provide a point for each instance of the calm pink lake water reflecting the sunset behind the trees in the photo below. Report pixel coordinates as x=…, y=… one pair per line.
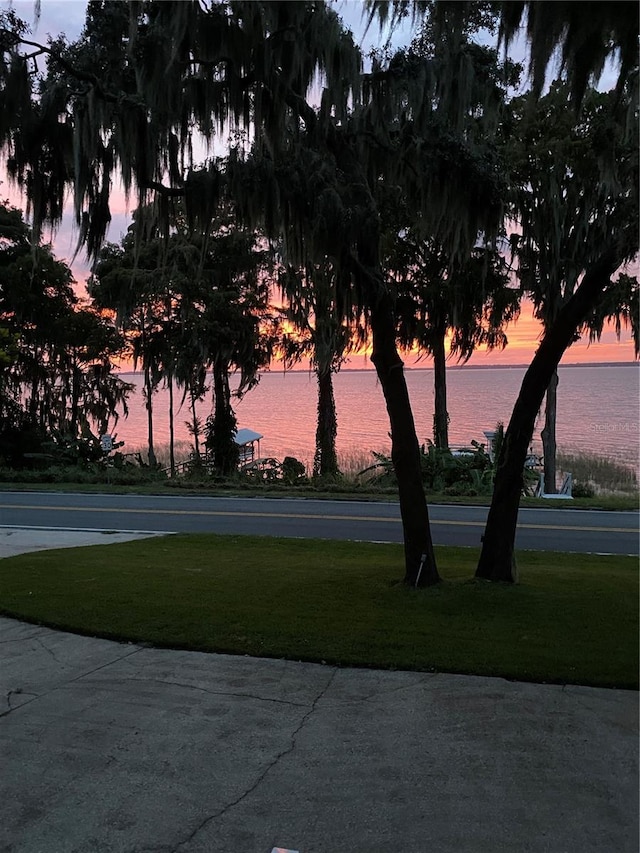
x=598, y=410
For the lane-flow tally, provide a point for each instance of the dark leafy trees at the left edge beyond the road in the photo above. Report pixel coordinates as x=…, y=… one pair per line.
x=57, y=382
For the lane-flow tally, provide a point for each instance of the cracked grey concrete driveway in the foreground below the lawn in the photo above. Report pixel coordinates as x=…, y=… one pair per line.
x=115, y=748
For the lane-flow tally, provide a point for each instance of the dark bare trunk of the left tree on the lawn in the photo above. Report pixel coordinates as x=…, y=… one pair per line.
x=420, y=561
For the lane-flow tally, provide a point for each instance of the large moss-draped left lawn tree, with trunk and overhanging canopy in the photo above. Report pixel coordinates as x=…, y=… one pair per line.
x=177, y=73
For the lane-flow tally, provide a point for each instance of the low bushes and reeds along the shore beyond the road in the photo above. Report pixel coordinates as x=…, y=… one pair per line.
x=447, y=474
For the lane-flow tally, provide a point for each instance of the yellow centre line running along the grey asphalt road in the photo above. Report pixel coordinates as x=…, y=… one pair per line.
x=310, y=517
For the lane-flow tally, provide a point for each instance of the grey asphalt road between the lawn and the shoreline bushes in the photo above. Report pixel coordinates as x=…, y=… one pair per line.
x=552, y=529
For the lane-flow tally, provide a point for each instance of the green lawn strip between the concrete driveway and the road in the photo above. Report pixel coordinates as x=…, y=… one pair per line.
x=571, y=618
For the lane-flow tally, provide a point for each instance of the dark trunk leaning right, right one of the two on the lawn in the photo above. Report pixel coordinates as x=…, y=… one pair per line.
x=497, y=559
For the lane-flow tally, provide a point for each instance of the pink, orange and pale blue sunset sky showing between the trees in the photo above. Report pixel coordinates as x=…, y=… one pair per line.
x=68, y=16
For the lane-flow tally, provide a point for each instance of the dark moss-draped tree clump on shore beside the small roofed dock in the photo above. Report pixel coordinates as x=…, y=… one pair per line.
x=190, y=303
